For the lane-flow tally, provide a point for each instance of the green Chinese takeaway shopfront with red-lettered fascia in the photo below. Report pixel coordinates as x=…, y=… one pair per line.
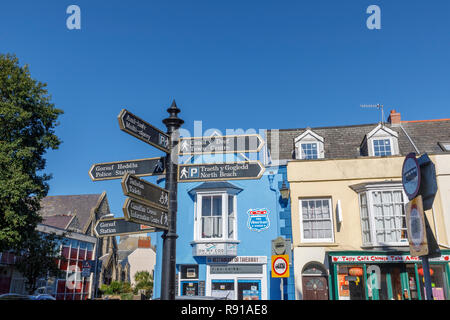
x=386, y=276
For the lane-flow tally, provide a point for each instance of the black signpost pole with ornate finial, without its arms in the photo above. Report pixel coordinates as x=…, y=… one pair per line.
x=168, y=280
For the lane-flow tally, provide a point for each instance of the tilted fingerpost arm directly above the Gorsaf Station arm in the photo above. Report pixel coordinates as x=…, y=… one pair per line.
x=140, y=212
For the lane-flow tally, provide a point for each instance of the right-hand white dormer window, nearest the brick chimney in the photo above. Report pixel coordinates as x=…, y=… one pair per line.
x=380, y=142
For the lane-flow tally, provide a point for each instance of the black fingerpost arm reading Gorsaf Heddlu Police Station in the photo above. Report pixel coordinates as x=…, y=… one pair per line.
x=117, y=169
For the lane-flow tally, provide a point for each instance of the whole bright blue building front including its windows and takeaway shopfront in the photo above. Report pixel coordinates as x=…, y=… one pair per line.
x=225, y=231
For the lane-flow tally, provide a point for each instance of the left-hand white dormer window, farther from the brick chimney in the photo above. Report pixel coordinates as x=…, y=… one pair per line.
x=309, y=145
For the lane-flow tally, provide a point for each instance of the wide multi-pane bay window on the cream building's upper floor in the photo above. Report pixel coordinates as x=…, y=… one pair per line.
x=383, y=218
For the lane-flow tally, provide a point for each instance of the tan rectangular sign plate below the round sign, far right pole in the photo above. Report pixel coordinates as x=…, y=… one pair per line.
x=415, y=222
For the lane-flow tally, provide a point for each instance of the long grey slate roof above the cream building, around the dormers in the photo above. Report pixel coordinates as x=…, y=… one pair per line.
x=345, y=141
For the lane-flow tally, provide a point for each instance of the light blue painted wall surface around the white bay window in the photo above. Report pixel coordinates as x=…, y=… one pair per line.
x=256, y=194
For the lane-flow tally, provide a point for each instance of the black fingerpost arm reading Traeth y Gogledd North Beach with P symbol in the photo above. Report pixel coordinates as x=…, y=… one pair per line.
x=220, y=171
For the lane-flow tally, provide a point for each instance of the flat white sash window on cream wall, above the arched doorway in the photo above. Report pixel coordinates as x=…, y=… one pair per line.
x=316, y=220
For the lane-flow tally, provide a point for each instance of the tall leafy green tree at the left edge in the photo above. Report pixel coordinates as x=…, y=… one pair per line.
x=27, y=122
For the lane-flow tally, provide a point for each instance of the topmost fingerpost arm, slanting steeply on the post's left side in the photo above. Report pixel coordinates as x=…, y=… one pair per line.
x=142, y=130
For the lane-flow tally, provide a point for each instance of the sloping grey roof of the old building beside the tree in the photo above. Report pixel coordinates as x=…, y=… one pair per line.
x=62, y=211
